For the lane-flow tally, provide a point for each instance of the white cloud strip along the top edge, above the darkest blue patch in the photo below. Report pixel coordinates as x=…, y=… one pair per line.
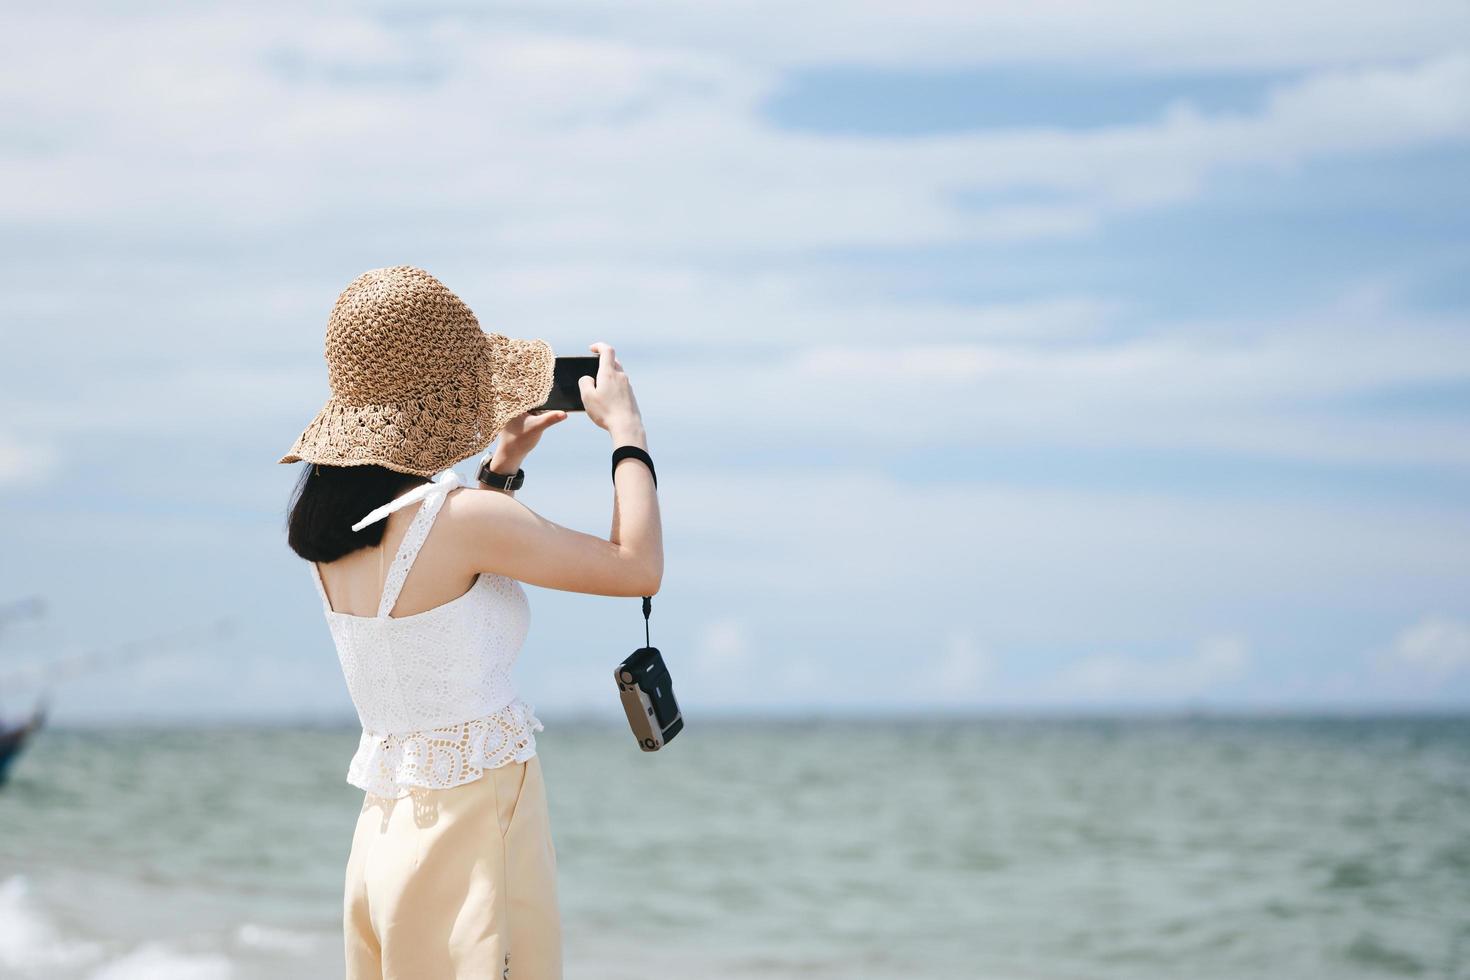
x=1130, y=36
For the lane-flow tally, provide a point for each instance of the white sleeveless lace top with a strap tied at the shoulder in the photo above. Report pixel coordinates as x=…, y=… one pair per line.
x=434, y=691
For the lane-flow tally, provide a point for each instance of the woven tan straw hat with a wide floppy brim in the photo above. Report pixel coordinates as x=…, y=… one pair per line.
x=417, y=384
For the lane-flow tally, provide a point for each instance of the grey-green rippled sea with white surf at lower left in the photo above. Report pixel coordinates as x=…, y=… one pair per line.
x=997, y=849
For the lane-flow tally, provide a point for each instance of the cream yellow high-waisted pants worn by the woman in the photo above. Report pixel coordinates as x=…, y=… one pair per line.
x=455, y=884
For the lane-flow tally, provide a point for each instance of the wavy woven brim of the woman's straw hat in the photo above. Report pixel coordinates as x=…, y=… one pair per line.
x=436, y=430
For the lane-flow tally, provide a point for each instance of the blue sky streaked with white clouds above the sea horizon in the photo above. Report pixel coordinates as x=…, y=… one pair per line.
x=1084, y=358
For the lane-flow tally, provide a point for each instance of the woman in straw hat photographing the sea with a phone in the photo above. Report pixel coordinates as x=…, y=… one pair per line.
x=452, y=871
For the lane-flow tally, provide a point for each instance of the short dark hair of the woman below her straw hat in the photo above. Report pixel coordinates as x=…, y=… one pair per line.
x=329, y=500
